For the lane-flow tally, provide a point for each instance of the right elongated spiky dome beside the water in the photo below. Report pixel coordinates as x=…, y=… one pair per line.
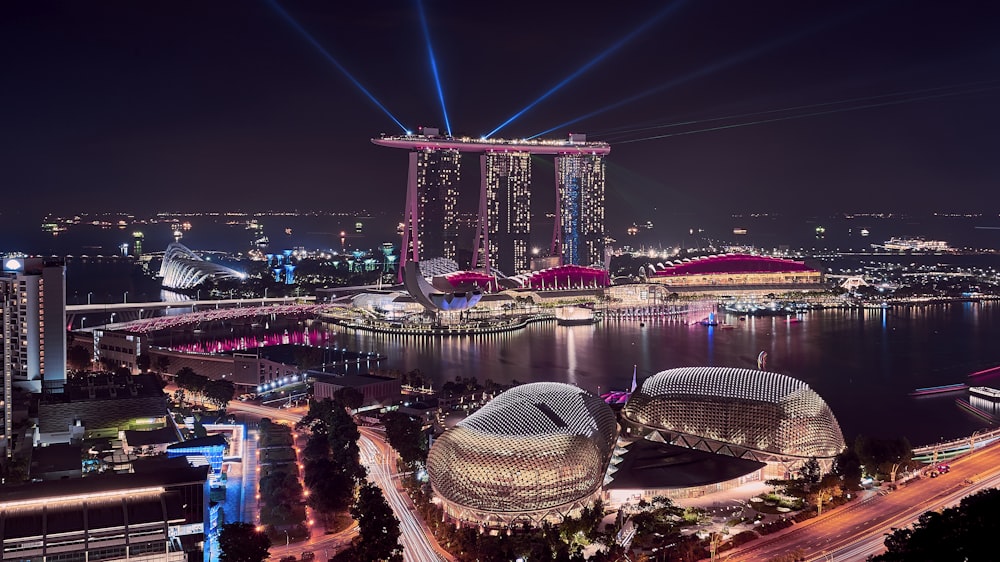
x=746, y=413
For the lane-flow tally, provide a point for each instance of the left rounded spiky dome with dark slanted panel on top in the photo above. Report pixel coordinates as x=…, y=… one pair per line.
x=535, y=452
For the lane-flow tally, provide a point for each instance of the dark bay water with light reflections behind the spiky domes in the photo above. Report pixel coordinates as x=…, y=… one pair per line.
x=863, y=362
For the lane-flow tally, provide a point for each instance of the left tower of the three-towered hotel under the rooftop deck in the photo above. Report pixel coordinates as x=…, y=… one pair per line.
x=437, y=174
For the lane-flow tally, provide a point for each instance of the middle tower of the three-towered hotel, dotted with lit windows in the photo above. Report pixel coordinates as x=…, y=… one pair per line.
x=507, y=178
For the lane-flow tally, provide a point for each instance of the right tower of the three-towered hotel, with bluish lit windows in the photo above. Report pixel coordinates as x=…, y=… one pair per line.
x=580, y=225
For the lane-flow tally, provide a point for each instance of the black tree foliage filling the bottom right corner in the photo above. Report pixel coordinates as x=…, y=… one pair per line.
x=963, y=533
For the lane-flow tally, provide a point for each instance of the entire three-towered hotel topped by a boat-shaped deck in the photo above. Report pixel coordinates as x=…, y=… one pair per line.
x=502, y=239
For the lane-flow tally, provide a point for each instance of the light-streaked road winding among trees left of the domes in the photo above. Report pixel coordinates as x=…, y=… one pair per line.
x=418, y=542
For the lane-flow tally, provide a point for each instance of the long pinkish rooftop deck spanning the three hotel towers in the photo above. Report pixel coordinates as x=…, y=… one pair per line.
x=420, y=142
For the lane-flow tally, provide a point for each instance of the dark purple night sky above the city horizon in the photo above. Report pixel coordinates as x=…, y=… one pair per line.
x=215, y=105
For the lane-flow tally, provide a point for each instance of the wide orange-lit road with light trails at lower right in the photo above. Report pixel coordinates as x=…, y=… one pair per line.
x=855, y=531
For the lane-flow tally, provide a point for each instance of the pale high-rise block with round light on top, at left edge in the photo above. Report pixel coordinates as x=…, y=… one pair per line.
x=33, y=342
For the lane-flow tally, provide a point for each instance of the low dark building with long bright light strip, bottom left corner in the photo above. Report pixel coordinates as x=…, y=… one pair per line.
x=156, y=515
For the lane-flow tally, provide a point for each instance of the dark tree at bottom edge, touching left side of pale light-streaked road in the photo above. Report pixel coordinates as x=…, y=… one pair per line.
x=377, y=526
